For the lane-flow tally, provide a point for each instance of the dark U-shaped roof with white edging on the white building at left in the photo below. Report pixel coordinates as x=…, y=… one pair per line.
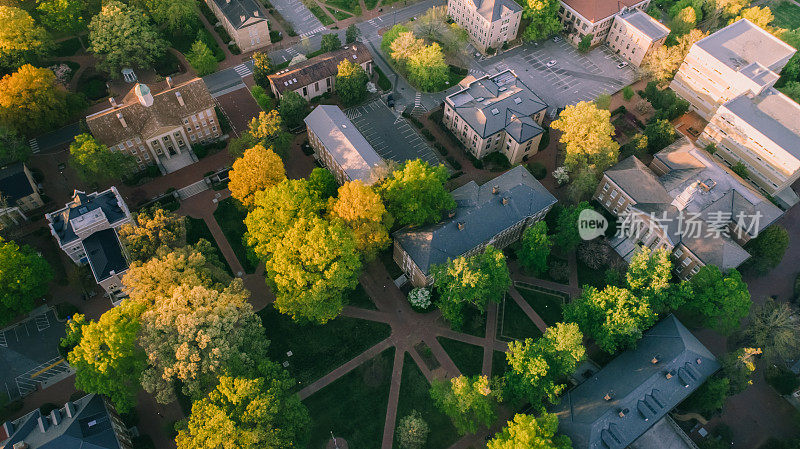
x=80, y=205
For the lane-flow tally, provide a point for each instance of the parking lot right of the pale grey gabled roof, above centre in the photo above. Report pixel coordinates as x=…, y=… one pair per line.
x=393, y=137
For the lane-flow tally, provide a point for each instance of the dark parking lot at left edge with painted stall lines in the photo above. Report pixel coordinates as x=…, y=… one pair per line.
x=29, y=356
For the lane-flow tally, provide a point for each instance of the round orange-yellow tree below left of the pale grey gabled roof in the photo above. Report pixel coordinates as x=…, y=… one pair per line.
x=260, y=168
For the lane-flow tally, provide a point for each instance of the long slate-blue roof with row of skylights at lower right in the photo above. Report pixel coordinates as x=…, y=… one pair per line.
x=637, y=386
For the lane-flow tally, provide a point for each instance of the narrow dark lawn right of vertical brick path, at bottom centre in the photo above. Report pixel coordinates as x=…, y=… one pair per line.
x=414, y=395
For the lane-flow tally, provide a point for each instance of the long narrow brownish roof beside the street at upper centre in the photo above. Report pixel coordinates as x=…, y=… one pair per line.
x=318, y=68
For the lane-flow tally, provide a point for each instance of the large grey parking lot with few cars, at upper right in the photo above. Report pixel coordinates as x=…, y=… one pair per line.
x=574, y=77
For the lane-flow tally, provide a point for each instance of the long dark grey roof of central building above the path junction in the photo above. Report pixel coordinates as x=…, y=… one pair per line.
x=482, y=214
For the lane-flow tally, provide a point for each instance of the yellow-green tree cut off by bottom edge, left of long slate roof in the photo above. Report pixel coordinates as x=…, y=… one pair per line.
x=528, y=431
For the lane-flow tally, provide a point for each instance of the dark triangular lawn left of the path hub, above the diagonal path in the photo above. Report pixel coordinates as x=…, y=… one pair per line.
x=318, y=349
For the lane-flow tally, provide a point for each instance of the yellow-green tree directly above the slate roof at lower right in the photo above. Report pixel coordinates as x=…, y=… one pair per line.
x=614, y=317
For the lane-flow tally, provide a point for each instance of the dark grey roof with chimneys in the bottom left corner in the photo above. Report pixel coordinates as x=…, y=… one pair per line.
x=88, y=428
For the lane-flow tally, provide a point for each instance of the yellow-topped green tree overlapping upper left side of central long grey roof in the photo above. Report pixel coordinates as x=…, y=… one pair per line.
x=415, y=195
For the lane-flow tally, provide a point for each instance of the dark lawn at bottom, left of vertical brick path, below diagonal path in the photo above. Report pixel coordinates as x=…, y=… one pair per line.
x=354, y=406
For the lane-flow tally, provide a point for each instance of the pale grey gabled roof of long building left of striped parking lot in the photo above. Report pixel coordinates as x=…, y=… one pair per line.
x=345, y=144
